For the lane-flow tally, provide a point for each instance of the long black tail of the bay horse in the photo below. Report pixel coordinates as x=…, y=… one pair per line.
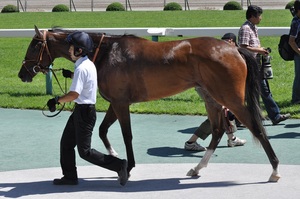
x=253, y=91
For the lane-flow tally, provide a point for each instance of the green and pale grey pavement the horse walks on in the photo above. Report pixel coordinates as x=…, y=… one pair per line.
x=29, y=160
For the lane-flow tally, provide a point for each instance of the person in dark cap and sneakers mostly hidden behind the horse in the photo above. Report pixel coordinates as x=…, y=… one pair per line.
x=204, y=130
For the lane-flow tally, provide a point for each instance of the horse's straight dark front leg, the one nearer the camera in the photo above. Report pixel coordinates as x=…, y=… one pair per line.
x=122, y=112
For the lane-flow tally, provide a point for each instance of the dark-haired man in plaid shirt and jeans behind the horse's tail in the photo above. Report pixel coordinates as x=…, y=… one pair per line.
x=248, y=38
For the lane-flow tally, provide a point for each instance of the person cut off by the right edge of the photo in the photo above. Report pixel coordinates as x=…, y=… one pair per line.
x=294, y=34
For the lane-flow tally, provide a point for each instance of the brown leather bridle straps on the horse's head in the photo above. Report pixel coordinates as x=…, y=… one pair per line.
x=38, y=66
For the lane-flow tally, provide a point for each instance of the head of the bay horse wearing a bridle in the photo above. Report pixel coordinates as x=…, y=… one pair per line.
x=37, y=58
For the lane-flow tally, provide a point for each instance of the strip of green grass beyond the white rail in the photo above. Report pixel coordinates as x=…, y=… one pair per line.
x=195, y=18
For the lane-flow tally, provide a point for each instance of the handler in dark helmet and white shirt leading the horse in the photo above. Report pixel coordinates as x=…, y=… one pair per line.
x=79, y=127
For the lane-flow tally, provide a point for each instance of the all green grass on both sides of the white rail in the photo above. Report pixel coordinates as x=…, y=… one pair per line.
x=16, y=94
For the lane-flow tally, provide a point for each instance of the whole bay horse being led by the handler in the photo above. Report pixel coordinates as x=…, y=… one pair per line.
x=132, y=69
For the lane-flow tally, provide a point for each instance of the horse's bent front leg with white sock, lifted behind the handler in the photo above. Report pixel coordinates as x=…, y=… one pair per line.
x=109, y=119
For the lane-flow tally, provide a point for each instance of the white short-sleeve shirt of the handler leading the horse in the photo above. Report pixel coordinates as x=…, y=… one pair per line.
x=85, y=81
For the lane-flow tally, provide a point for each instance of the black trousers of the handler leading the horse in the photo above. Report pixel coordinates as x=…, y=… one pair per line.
x=78, y=132
